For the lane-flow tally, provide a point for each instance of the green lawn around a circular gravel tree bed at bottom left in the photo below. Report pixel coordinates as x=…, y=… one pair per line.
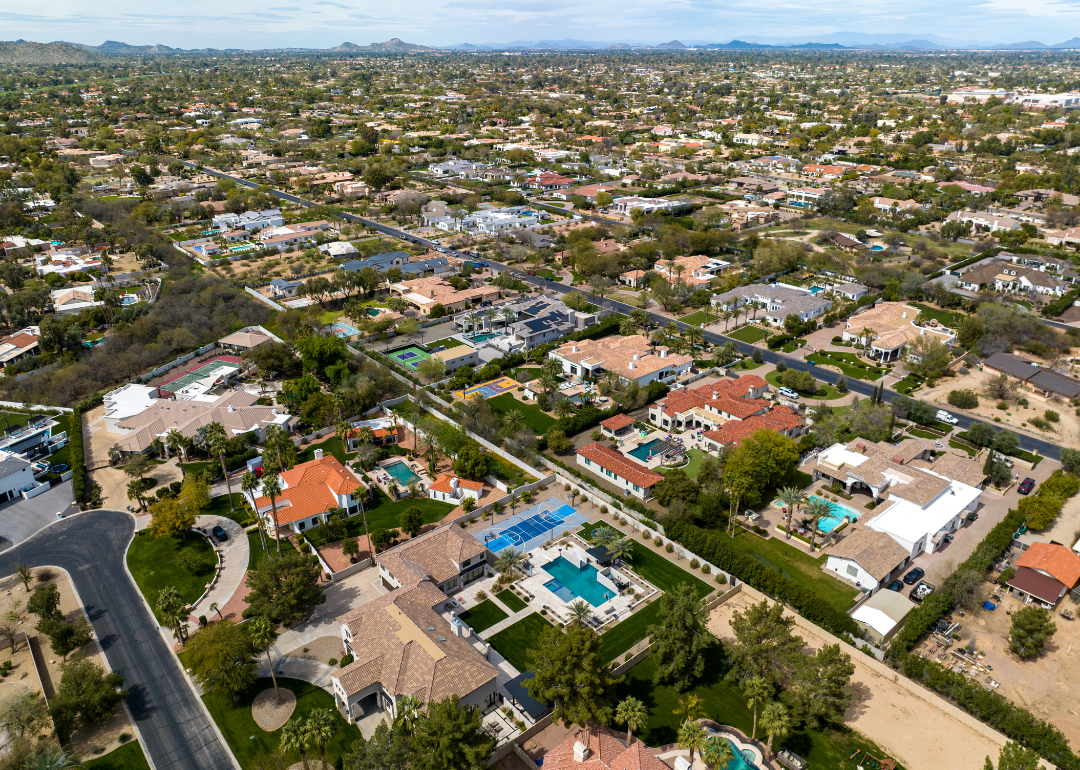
x=249, y=741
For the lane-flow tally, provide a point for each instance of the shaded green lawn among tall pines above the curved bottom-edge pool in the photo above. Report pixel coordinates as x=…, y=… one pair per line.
x=726, y=705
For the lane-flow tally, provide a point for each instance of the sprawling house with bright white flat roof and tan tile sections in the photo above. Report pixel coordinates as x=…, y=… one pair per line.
x=920, y=499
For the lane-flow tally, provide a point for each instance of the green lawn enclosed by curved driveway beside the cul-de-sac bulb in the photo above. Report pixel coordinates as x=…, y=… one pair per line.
x=153, y=563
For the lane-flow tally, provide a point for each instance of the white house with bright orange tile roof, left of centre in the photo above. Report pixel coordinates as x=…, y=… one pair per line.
x=309, y=493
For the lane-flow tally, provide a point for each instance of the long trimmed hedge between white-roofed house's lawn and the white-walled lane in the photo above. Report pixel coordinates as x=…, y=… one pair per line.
x=713, y=549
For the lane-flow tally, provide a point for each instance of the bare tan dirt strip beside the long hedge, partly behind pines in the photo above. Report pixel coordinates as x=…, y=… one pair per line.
x=912, y=725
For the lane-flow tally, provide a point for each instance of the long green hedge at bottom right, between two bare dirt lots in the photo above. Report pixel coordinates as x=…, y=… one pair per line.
x=995, y=710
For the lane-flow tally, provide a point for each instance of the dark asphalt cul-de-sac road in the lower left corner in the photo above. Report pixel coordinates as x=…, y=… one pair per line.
x=91, y=547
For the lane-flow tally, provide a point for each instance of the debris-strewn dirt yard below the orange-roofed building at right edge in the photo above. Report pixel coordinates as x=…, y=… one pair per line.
x=1043, y=685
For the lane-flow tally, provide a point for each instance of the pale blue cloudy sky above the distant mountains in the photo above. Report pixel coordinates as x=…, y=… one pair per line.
x=256, y=24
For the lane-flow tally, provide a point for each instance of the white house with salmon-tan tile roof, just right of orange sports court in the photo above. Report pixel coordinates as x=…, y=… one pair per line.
x=632, y=358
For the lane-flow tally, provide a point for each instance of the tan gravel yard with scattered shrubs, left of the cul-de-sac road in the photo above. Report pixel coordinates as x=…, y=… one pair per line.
x=87, y=744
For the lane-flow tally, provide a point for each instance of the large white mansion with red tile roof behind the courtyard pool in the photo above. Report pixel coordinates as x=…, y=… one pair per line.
x=711, y=407
